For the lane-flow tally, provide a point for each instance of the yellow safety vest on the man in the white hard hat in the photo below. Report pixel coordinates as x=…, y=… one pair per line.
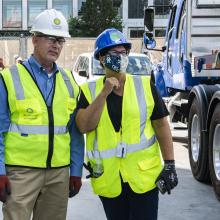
x=27, y=140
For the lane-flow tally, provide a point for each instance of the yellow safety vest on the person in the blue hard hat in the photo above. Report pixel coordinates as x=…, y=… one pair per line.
x=133, y=152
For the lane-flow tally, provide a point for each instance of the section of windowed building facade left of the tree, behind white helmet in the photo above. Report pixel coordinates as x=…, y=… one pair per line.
x=17, y=15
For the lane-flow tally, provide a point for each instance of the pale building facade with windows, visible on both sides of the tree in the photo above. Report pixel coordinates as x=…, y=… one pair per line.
x=17, y=15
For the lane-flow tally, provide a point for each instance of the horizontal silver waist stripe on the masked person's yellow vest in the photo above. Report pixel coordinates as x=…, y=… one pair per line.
x=121, y=150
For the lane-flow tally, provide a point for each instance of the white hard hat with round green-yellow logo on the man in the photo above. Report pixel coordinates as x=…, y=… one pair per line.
x=51, y=22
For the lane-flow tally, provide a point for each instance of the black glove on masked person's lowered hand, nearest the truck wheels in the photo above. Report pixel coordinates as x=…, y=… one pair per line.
x=167, y=179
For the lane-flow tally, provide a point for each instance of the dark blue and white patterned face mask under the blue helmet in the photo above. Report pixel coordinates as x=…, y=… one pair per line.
x=116, y=63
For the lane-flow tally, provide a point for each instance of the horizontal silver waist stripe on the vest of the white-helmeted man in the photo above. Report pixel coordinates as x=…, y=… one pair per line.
x=36, y=129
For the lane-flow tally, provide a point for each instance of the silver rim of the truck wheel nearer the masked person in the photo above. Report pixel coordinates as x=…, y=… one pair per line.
x=195, y=137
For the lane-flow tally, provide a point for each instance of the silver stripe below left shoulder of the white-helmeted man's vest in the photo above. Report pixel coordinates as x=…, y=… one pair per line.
x=19, y=91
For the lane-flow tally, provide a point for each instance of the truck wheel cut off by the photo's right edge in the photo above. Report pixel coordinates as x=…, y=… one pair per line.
x=214, y=151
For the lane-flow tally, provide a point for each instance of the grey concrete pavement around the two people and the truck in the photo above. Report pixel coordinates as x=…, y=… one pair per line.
x=190, y=200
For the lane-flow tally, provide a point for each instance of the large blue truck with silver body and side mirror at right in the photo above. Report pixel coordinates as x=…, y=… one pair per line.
x=190, y=76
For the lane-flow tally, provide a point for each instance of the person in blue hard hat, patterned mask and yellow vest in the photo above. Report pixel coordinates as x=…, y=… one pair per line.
x=124, y=119
